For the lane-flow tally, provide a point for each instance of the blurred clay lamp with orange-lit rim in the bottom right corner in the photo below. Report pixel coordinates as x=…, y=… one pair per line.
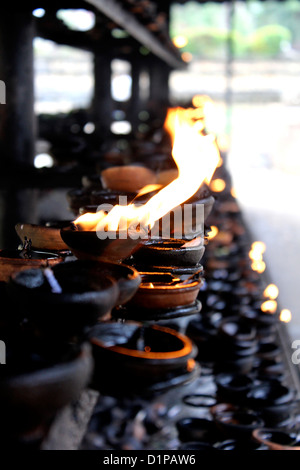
x=277, y=439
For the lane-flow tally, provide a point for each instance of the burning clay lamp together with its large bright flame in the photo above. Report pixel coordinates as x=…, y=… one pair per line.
x=100, y=234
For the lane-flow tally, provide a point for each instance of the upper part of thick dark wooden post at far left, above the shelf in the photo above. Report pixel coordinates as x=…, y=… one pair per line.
x=17, y=122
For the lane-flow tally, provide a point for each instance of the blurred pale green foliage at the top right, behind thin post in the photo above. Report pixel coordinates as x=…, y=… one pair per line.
x=261, y=29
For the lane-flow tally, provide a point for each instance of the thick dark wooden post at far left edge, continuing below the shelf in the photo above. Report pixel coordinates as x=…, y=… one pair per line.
x=17, y=119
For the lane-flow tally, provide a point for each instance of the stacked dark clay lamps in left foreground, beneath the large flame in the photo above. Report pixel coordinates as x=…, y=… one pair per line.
x=62, y=325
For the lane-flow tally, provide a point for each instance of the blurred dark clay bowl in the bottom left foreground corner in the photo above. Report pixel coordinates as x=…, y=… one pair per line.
x=30, y=399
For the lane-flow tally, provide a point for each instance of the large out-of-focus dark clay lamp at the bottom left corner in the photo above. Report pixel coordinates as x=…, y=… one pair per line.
x=36, y=386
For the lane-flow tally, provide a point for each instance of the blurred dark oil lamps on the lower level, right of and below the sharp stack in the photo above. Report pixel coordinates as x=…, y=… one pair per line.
x=244, y=399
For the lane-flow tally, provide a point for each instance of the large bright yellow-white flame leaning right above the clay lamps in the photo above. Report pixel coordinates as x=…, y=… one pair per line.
x=196, y=156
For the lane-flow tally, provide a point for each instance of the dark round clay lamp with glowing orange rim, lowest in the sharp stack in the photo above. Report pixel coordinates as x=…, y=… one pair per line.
x=131, y=359
